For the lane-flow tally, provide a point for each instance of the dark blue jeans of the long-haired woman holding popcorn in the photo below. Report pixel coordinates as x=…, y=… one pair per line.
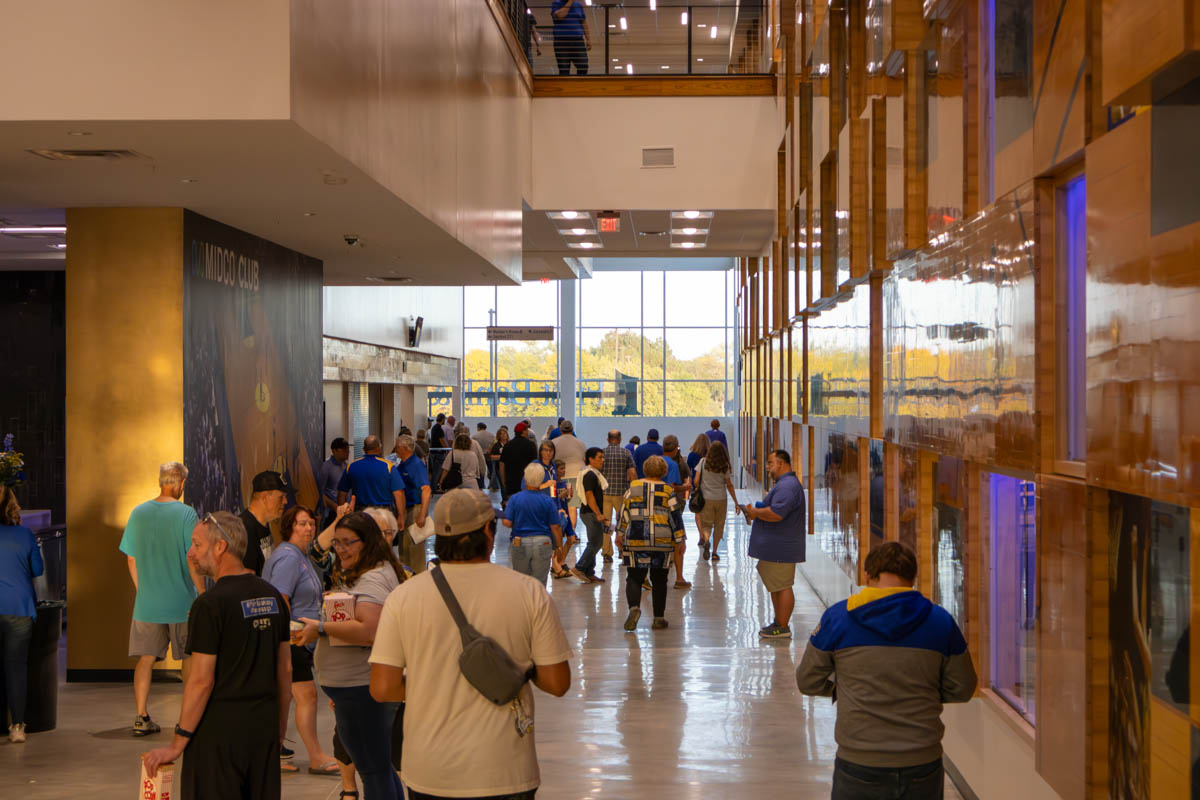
x=365, y=730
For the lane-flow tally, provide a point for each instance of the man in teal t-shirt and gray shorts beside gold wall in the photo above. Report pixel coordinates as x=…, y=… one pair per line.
x=157, y=539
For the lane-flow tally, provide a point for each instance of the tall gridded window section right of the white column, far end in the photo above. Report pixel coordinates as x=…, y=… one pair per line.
x=656, y=344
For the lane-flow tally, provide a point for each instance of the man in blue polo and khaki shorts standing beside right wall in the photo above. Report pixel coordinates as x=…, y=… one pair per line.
x=777, y=540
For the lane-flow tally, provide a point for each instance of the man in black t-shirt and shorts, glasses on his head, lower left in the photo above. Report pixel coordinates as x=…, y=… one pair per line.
x=236, y=701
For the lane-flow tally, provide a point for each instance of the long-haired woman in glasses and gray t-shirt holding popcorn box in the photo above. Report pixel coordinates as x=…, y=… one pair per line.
x=367, y=569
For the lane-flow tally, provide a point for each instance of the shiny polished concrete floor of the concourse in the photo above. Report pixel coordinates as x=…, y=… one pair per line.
x=703, y=706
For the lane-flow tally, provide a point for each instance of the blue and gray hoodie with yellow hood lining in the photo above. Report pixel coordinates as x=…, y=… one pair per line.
x=893, y=658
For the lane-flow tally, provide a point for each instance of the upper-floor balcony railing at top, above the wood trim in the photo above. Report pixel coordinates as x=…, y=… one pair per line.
x=643, y=38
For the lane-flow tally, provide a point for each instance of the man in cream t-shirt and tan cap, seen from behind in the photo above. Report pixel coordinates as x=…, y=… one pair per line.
x=458, y=744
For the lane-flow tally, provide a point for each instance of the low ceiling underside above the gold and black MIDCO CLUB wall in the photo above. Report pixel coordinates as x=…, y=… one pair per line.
x=260, y=177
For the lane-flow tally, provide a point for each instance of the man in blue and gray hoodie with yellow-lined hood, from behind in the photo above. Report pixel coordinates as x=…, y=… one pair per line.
x=890, y=658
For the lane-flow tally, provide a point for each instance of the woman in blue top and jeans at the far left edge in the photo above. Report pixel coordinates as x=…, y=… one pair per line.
x=21, y=562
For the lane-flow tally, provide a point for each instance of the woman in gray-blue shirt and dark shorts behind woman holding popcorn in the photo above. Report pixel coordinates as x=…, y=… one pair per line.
x=290, y=570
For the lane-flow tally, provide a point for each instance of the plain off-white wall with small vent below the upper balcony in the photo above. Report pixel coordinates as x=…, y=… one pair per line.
x=590, y=153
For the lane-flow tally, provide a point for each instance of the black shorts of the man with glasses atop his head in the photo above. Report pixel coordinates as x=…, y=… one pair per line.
x=220, y=767
